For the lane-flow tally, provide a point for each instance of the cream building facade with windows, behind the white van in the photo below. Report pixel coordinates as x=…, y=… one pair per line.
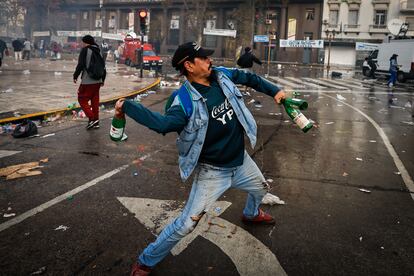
x=347, y=22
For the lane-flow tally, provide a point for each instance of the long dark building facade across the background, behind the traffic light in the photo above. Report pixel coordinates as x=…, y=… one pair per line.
x=172, y=22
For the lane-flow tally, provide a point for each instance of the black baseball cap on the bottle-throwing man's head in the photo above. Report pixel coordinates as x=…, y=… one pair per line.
x=187, y=51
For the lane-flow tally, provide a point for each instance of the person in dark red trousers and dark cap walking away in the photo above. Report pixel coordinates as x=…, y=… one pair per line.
x=89, y=87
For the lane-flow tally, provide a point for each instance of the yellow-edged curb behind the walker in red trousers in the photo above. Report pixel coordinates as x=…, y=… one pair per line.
x=76, y=107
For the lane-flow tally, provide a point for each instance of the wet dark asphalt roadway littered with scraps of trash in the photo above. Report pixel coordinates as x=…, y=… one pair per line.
x=347, y=184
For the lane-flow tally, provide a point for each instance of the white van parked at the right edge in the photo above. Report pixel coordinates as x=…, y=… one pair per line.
x=404, y=48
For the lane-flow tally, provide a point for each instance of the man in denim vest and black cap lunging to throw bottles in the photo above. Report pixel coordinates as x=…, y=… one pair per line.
x=211, y=131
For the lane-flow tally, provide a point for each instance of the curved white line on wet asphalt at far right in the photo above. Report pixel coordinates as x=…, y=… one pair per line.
x=398, y=163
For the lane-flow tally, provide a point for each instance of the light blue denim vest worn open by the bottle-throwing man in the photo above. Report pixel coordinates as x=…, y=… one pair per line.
x=191, y=139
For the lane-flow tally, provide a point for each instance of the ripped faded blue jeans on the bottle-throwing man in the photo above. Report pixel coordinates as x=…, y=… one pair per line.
x=209, y=184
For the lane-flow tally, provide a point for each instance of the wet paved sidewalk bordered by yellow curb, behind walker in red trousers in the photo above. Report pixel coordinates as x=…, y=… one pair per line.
x=41, y=86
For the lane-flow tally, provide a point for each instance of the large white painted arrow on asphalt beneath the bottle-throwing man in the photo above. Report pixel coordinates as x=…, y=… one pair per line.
x=249, y=255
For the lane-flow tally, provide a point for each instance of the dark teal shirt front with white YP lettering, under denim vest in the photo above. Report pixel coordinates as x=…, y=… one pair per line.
x=224, y=143
